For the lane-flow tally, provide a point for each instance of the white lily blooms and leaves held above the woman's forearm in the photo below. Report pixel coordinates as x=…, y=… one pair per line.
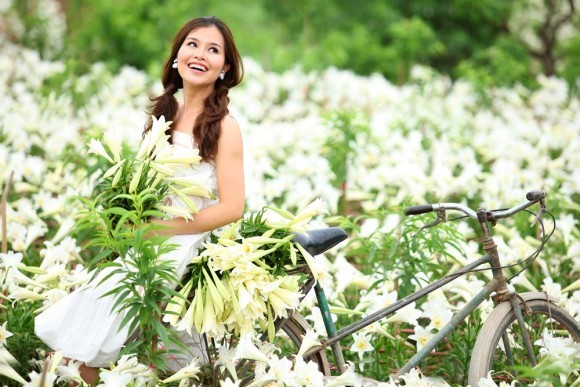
x=132, y=188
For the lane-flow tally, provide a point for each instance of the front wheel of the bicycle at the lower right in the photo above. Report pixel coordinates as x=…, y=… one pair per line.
x=489, y=353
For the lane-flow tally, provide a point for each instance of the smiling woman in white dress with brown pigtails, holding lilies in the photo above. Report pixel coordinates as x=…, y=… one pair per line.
x=205, y=63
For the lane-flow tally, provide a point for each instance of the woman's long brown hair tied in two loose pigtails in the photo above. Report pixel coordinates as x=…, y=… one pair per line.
x=207, y=126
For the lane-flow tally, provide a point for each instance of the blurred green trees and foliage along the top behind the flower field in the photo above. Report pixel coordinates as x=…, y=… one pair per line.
x=489, y=42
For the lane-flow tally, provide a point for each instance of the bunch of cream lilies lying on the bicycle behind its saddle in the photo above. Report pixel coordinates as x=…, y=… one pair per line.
x=245, y=276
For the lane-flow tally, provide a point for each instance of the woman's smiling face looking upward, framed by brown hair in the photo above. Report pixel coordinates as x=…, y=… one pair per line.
x=201, y=57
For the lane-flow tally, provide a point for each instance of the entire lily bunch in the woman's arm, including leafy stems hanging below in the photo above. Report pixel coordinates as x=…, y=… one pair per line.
x=132, y=190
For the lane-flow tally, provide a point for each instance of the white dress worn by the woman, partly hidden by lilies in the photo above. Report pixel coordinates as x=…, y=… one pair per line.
x=81, y=325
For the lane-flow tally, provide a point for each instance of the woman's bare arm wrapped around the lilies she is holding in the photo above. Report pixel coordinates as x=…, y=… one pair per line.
x=230, y=183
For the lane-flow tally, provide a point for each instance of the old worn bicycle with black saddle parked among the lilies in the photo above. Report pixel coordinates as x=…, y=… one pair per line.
x=517, y=320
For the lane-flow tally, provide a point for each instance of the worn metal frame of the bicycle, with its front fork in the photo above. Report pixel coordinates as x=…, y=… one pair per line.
x=497, y=284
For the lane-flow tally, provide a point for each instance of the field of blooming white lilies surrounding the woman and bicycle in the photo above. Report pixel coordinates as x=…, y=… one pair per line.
x=366, y=147
